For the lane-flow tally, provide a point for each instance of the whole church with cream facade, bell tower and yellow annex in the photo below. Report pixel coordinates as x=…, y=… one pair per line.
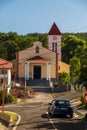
x=38, y=63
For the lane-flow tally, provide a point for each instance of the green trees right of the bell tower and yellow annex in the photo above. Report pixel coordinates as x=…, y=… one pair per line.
x=74, y=51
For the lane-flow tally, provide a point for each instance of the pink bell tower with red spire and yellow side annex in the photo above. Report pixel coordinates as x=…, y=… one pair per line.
x=54, y=44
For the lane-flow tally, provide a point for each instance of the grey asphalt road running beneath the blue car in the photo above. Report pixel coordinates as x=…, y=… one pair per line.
x=34, y=115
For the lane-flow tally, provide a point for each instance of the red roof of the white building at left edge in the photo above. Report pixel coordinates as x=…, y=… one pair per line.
x=5, y=64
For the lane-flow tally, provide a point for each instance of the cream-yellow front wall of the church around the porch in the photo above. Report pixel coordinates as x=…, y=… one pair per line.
x=47, y=54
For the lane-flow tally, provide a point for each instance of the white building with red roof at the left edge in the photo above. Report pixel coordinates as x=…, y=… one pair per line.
x=5, y=71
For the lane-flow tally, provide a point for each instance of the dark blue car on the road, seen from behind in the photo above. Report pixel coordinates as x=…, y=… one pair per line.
x=60, y=106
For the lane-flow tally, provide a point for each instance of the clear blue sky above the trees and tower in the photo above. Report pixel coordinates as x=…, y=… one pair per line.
x=37, y=16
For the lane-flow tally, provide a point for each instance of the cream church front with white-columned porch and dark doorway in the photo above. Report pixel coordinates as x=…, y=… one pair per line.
x=36, y=62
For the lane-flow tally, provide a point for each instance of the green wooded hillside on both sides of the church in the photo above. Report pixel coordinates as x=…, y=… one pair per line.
x=74, y=49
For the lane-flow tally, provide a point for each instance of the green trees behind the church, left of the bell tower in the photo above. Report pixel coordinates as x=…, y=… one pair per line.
x=11, y=42
